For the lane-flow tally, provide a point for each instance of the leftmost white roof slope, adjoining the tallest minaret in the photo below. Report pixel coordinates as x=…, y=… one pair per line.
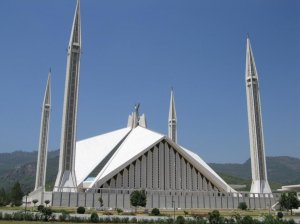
x=90, y=152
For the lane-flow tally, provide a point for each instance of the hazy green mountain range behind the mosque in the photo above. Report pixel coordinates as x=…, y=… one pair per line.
x=21, y=166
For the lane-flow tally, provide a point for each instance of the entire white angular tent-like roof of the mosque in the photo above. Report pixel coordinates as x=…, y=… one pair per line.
x=131, y=144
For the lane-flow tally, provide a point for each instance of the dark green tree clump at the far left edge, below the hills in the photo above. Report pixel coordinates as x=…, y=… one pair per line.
x=12, y=197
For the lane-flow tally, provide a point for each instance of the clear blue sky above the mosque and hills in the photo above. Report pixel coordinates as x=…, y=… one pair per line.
x=135, y=51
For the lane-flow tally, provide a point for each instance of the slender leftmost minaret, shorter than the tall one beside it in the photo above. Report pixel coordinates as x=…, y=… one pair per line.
x=43, y=142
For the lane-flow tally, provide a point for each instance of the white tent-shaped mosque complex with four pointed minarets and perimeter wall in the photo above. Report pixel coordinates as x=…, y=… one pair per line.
x=114, y=164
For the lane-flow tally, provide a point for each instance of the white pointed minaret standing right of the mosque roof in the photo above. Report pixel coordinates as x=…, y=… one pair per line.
x=257, y=149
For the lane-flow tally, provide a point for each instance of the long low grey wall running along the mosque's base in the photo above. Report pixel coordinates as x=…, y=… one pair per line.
x=119, y=198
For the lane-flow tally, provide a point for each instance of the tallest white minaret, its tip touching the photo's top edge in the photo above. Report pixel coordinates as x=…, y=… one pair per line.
x=66, y=179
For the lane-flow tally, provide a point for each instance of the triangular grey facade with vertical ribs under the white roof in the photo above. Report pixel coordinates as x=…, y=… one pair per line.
x=155, y=165
